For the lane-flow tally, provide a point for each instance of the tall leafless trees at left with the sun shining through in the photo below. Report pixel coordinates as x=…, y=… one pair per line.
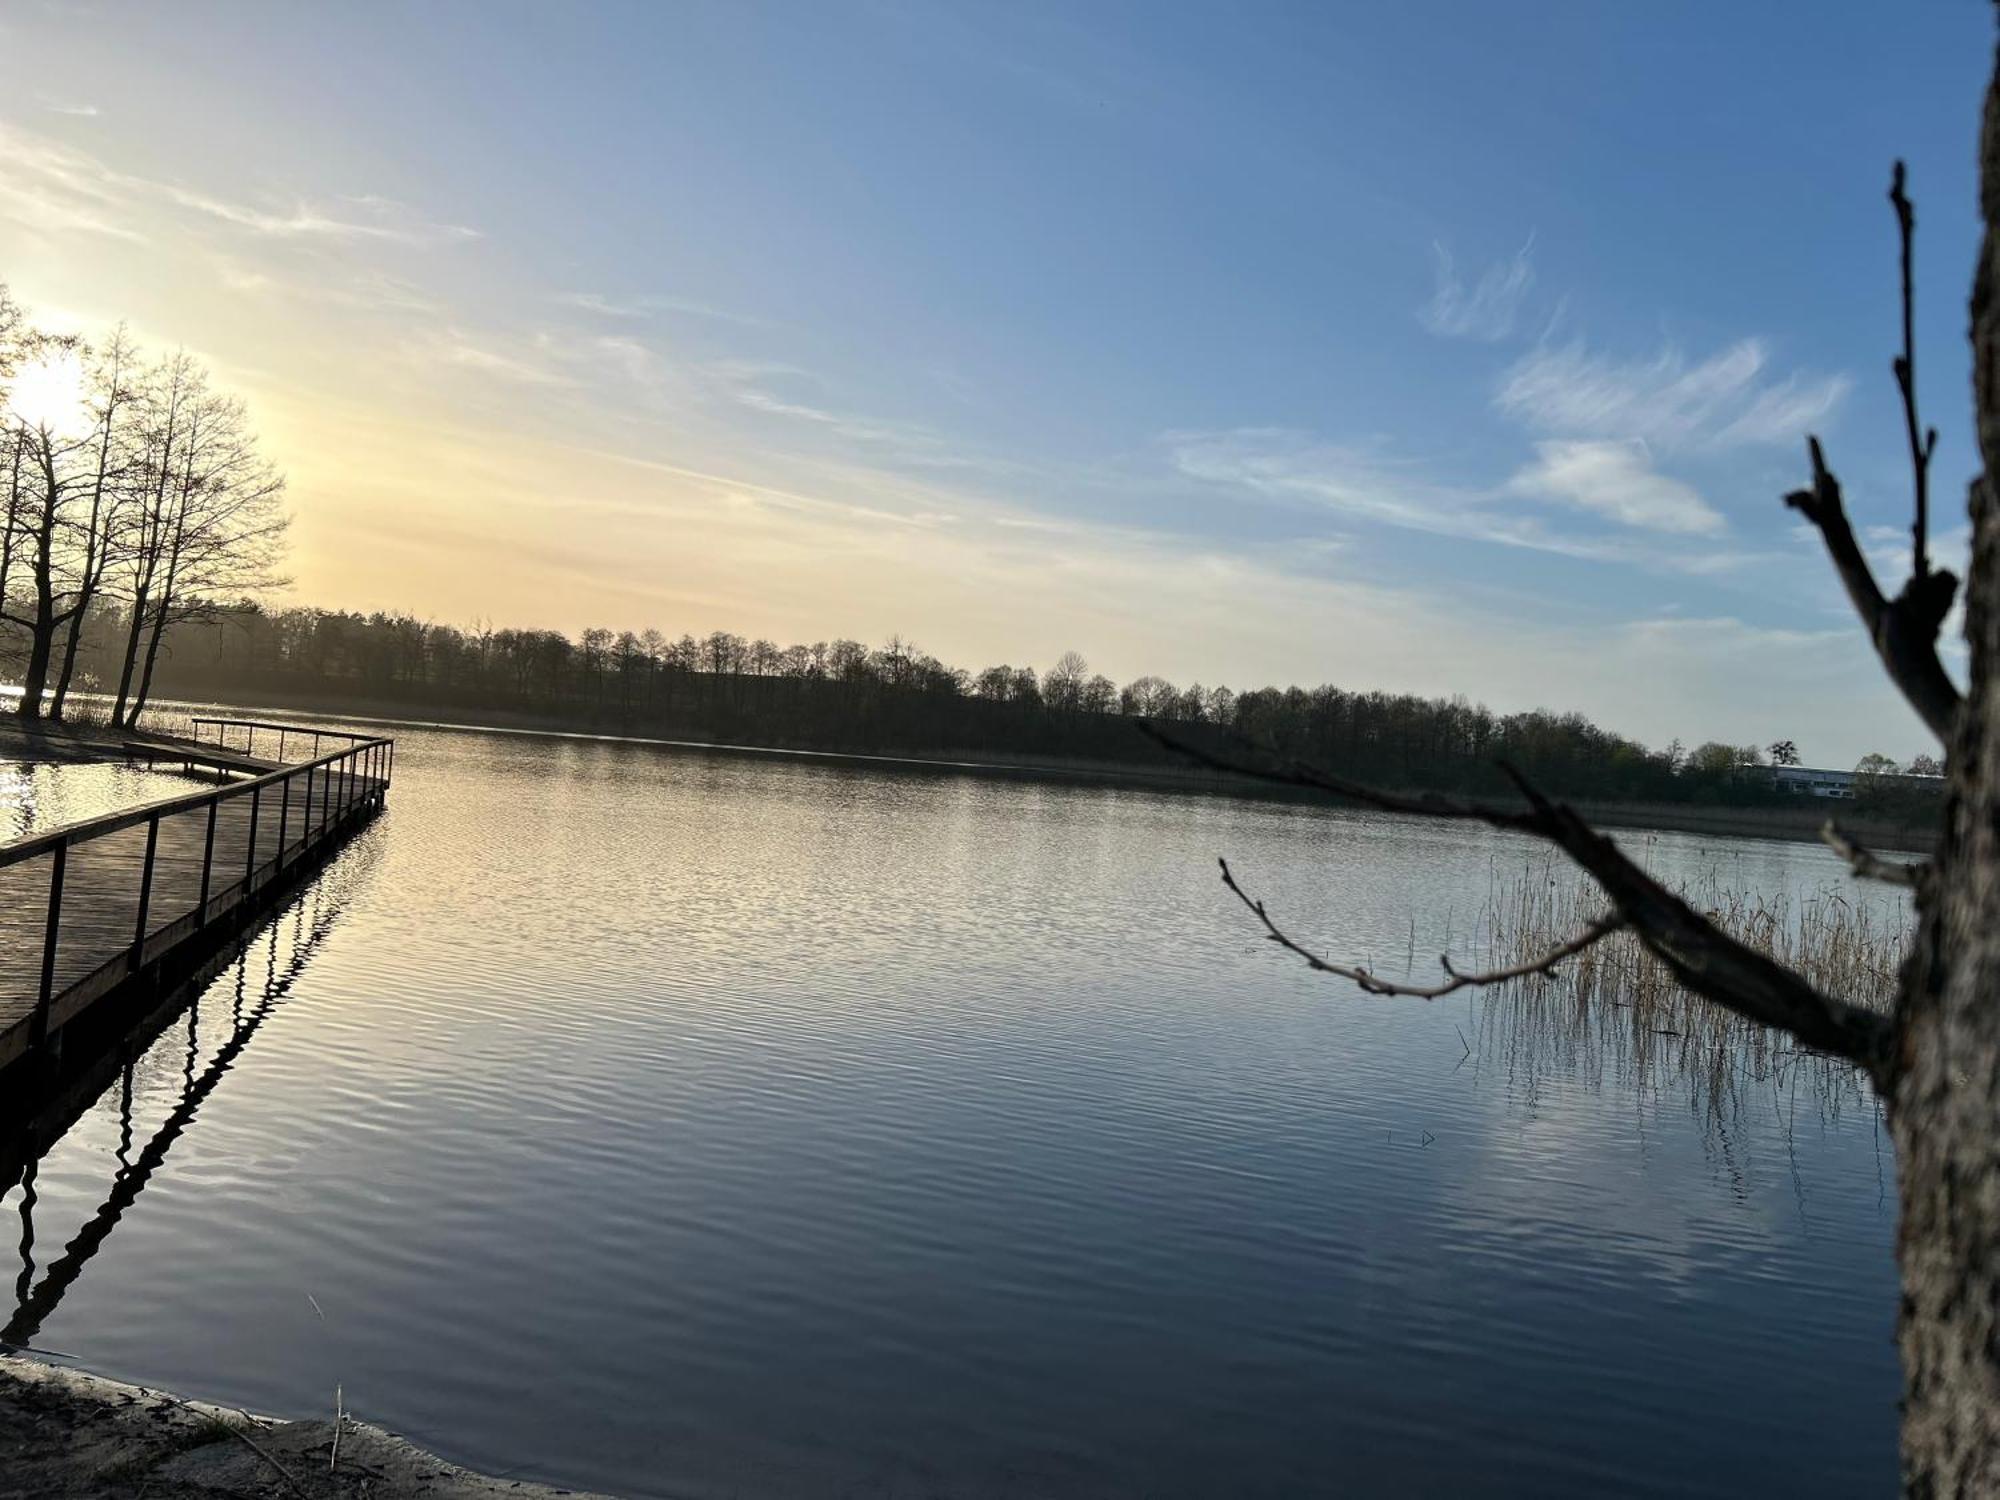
x=135, y=501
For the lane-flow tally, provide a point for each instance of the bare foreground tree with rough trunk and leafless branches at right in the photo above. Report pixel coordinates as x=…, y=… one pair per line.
x=1935, y=1057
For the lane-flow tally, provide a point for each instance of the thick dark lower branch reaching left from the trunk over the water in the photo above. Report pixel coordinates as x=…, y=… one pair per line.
x=1699, y=955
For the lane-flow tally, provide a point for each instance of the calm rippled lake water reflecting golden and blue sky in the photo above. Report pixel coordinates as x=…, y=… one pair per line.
x=697, y=1125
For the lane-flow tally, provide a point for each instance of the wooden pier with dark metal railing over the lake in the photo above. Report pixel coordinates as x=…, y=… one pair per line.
x=99, y=905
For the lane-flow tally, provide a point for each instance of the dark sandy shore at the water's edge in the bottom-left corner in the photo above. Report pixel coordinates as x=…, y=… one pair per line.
x=67, y=1435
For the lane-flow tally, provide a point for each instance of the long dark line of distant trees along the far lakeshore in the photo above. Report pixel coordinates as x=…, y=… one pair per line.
x=895, y=699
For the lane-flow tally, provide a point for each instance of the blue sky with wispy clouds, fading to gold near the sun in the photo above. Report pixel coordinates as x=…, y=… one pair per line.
x=1431, y=349
